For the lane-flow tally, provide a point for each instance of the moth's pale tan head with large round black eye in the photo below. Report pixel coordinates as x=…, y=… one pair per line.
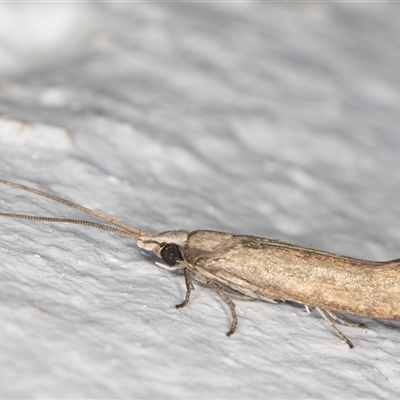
x=169, y=246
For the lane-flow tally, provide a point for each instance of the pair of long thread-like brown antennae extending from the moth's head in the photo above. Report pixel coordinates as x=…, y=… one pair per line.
x=134, y=232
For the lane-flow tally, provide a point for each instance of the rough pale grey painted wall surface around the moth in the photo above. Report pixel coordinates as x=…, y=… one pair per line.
x=277, y=120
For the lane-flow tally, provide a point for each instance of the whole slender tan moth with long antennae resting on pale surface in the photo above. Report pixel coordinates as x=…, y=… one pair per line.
x=250, y=267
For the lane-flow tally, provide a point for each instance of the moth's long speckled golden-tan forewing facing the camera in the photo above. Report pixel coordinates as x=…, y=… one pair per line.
x=282, y=271
